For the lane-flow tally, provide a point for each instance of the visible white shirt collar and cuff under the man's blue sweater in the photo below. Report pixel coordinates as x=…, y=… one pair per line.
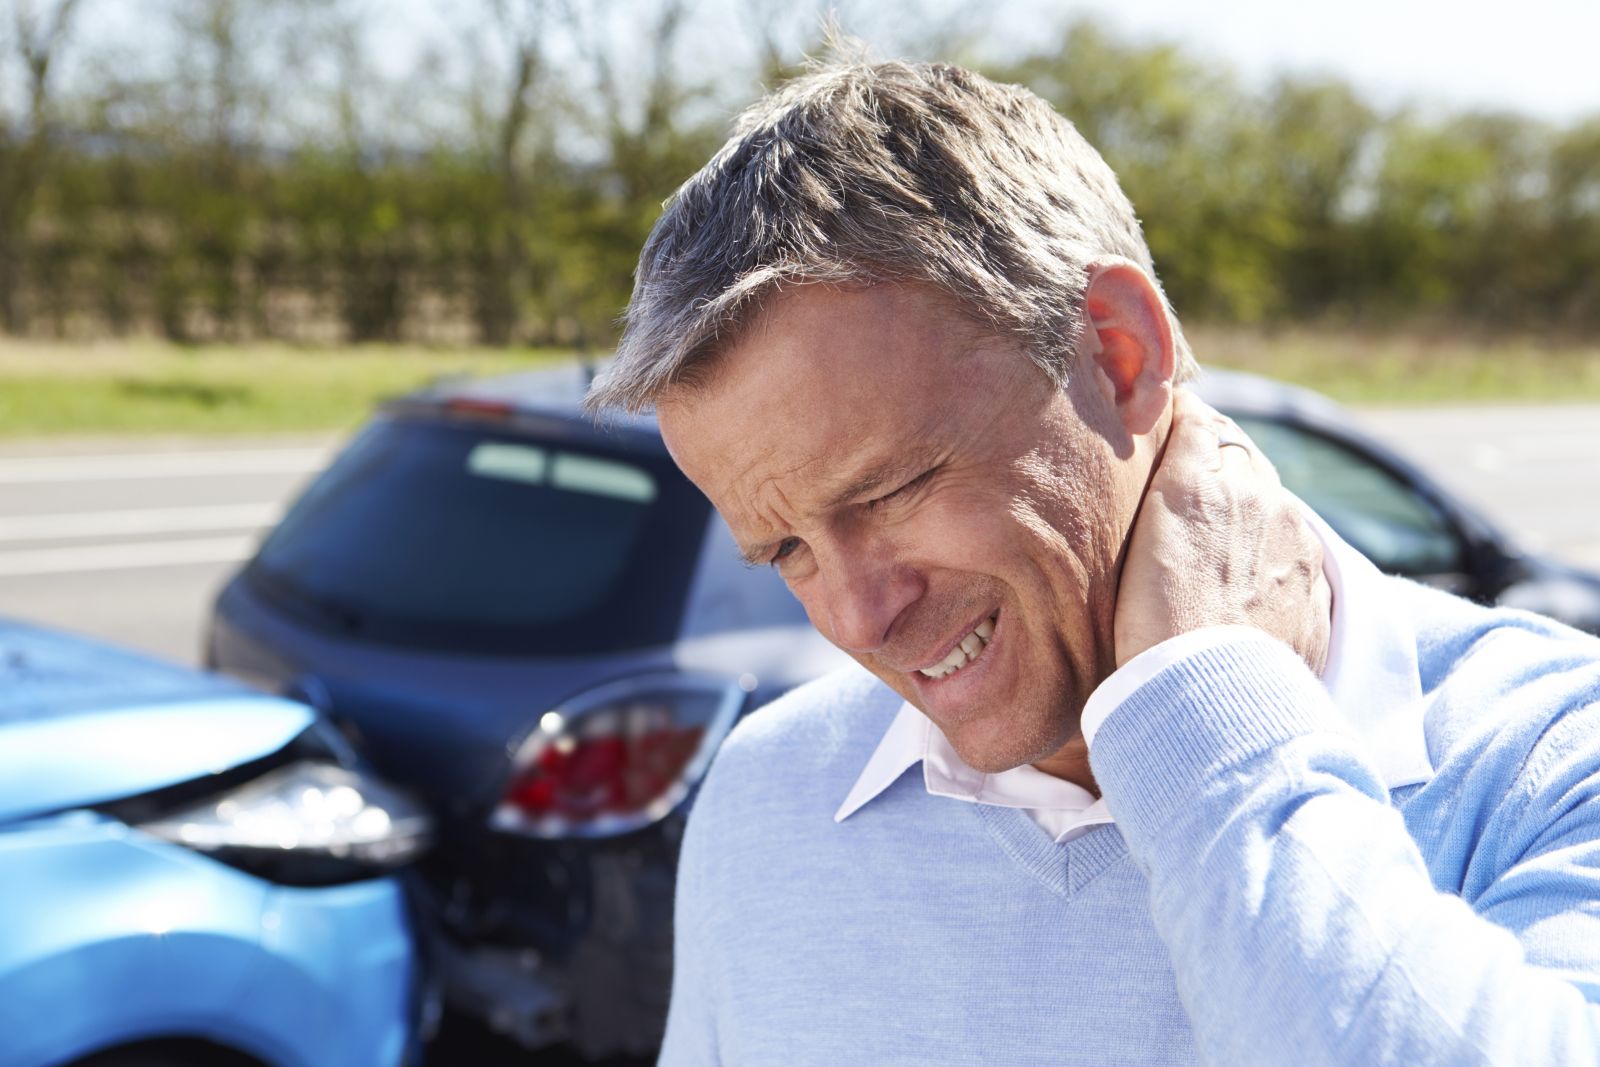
x=1372, y=677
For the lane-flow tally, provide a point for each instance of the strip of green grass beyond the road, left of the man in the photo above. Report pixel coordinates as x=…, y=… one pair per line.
x=153, y=388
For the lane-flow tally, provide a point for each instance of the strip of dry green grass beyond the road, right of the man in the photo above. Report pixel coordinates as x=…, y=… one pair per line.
x=1410, y=367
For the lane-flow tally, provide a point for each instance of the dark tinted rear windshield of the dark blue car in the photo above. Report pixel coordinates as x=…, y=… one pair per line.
x=458, y=538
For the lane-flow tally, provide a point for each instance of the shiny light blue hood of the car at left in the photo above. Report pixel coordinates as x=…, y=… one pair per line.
x=84, y=724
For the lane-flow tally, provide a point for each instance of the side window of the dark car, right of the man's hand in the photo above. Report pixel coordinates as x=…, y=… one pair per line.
x=1380, y=514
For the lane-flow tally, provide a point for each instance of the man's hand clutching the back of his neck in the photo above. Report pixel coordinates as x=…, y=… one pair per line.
x=1220, y=541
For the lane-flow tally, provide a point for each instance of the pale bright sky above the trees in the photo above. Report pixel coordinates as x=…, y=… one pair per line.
x=1530, y=57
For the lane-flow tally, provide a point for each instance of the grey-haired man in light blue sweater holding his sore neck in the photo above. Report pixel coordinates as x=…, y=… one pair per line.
x=1142, y=764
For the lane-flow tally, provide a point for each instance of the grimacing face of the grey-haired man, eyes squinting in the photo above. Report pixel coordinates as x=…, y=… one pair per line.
x=924, y=489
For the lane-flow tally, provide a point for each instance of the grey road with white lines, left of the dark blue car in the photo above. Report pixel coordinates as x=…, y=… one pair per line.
x=130, y=540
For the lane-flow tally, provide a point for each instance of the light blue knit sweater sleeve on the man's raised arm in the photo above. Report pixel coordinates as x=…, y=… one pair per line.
x=1298, y=911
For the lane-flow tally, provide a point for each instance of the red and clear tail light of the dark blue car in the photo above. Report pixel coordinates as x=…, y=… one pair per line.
x=618, y=757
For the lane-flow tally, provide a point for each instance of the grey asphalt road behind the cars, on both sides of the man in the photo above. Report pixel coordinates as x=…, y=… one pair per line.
x=129, y=540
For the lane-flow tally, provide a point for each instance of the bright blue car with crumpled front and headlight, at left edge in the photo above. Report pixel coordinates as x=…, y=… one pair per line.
x=193, y=873
